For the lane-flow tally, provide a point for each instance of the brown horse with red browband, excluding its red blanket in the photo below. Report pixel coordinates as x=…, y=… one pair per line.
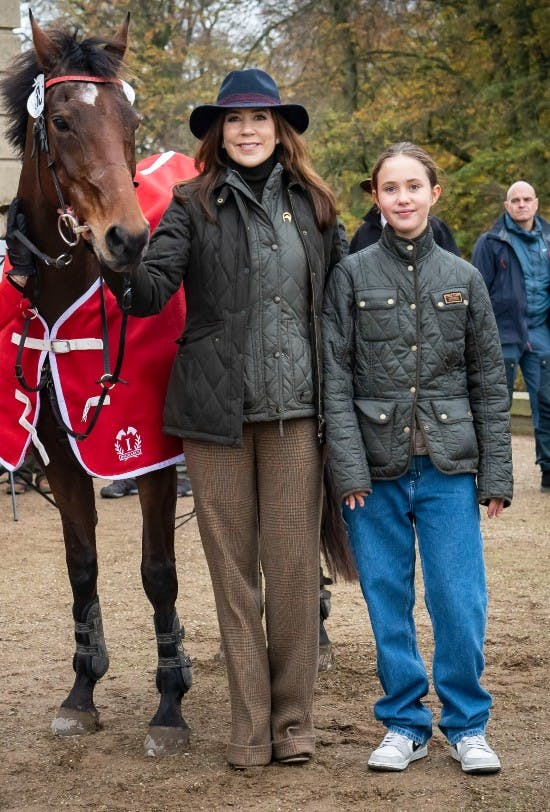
x=75, y=132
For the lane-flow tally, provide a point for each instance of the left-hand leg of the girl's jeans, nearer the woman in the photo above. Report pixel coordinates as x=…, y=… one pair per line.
x=383, y=543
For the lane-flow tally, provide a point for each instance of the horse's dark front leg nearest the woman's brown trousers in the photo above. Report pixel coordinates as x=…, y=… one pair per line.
x=168, y=730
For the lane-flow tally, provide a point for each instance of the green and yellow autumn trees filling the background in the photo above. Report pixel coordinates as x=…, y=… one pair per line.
x=466, y=79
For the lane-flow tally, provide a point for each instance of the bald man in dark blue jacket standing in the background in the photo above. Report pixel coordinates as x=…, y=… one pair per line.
x=514, y=260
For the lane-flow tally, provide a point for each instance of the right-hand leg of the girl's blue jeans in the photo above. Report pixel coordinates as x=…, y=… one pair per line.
x=449, y=536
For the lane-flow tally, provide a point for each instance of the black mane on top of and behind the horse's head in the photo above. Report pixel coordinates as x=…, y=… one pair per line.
x=86, y=56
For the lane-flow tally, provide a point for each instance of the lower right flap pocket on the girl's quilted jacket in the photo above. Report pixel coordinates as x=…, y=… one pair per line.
x=453, y=425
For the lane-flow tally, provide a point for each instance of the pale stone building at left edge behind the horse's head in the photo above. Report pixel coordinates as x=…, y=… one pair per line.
x=10, y=46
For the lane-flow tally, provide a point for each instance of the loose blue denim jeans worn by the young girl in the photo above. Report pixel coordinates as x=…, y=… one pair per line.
x=443, y=512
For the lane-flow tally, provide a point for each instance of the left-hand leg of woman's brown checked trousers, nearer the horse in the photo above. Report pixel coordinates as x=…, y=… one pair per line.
x=225, y=494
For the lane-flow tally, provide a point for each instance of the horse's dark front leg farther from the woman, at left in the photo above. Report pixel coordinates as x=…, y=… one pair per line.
x=73, y=492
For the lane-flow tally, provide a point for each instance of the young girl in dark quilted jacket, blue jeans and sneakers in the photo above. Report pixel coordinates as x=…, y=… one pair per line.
x=418, y=434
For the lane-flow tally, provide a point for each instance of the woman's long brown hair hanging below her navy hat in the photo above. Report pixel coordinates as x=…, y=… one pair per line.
x=292, y=154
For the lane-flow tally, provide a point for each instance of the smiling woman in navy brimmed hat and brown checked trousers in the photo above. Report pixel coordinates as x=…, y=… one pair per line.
x=252, y=237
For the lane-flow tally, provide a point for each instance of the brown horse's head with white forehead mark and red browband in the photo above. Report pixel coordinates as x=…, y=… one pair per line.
x=83, y=141
